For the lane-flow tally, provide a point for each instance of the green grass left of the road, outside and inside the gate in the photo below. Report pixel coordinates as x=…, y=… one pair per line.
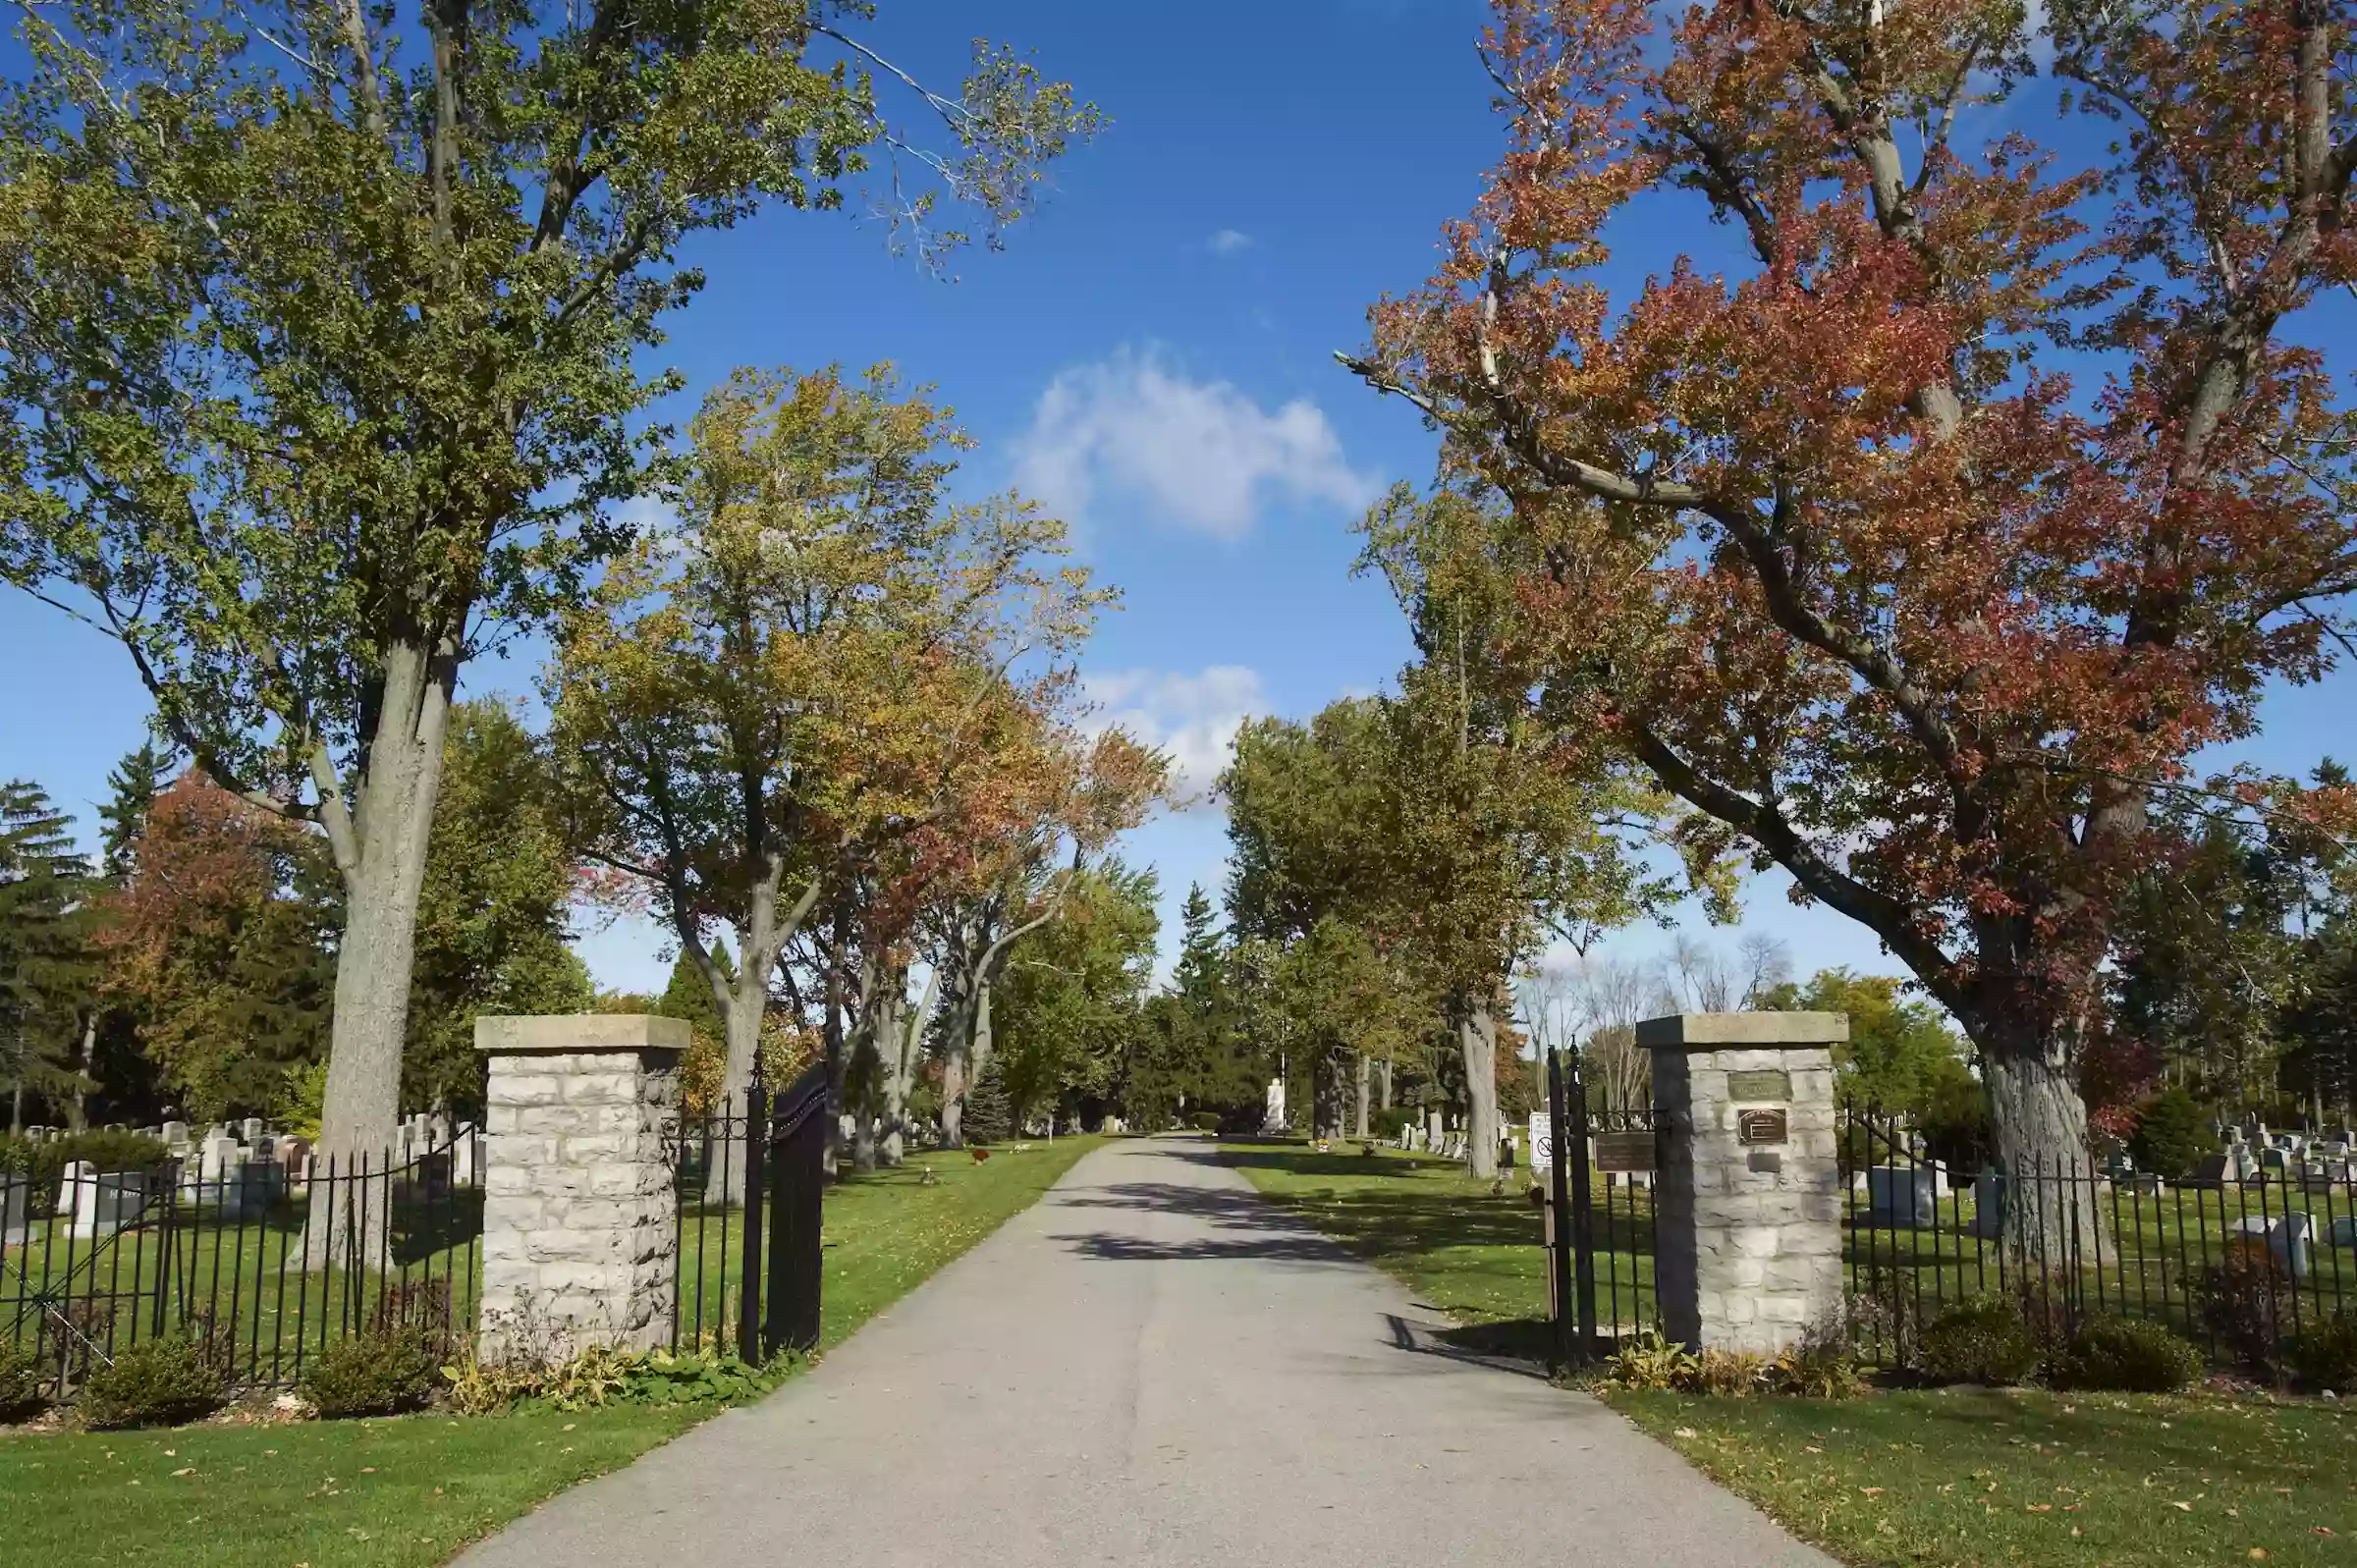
x=409, y=1494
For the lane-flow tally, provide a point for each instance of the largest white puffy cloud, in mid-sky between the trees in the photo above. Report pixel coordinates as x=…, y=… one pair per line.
x=1199, y=454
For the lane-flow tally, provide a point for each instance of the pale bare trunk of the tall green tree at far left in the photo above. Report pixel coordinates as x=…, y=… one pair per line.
x=381, y=850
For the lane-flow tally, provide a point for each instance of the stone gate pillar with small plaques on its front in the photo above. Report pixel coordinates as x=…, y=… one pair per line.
x=1748, y=1201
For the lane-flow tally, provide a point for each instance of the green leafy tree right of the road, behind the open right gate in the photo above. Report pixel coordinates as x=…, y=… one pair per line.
x=1434, y=822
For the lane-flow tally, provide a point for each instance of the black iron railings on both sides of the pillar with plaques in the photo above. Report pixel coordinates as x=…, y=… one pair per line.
x=2240, y=1256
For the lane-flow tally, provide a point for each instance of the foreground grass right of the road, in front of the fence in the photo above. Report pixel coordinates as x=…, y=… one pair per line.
x=1974, y=1477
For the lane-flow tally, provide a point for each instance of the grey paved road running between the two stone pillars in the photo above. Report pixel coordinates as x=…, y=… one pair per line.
x=1151, y=1369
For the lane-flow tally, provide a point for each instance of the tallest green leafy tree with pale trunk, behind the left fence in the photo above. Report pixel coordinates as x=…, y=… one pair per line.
x=324, y=355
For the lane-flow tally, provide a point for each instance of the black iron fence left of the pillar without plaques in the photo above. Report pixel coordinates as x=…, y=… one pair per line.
x=260, y=1263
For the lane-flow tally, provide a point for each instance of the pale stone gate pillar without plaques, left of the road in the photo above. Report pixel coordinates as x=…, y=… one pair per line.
x=581, y=1239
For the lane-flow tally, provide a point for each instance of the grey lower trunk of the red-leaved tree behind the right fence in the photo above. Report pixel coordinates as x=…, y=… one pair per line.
x=2042, y=1149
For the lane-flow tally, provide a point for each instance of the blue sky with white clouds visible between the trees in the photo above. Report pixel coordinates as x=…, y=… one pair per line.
x=1151, y=355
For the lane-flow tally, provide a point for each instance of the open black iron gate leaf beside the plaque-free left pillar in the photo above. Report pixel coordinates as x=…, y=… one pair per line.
x=784, y=1192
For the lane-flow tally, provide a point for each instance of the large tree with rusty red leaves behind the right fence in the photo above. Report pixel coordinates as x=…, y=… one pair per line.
x=1927, y=525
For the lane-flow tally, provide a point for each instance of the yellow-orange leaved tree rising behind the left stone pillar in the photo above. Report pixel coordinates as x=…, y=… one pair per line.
x=814, y=664
